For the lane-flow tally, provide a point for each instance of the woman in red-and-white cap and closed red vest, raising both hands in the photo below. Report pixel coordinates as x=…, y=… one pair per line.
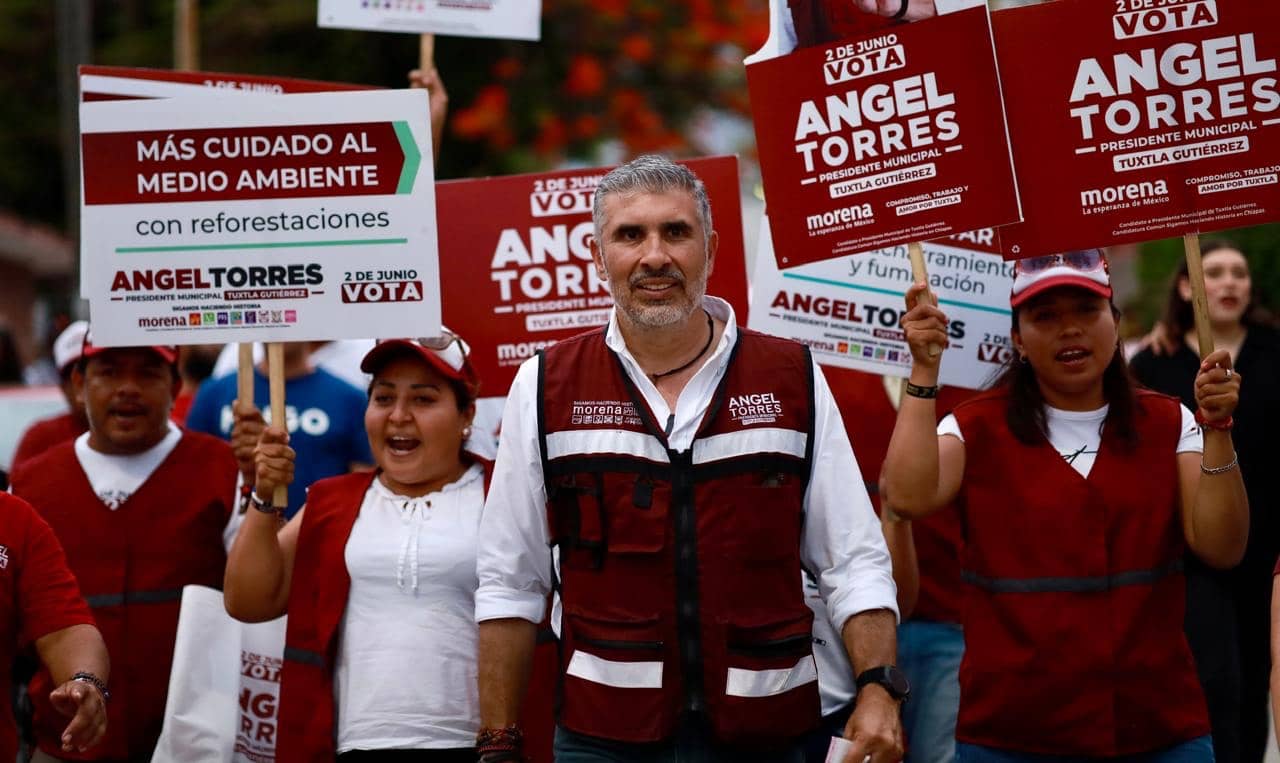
x=1078, y=495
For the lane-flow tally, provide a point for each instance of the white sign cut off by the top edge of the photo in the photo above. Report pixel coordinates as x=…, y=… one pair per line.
x=510, y=20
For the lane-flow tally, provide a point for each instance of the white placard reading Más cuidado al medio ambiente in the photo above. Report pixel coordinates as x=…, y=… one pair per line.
x=291, y=218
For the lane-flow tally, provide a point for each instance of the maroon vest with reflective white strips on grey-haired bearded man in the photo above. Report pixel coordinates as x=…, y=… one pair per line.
x=679, y=570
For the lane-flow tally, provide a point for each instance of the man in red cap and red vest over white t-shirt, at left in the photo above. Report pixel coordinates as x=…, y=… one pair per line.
x=141, y=508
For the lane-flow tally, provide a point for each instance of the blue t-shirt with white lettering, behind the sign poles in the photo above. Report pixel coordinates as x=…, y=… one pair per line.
x=326, y=417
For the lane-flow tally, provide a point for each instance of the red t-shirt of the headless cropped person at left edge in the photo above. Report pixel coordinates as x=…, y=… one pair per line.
x=38, y=595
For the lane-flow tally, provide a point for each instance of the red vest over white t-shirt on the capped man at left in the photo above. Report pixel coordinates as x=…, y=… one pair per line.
x=132, y=565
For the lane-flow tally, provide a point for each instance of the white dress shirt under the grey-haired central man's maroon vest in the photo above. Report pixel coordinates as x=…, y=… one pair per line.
x=842, y=540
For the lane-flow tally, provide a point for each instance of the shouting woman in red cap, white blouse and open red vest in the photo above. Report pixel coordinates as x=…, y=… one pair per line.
x=377, y=573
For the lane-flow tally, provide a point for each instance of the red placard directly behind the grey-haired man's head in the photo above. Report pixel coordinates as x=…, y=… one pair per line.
x=516, y=268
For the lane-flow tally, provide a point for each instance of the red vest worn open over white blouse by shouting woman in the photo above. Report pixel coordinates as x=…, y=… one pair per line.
x=318, y=598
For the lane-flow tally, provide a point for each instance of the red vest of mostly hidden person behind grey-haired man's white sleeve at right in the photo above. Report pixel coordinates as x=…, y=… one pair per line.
x=870, y=419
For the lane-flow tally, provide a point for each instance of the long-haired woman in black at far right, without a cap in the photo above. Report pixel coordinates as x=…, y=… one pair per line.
x=1227, y=611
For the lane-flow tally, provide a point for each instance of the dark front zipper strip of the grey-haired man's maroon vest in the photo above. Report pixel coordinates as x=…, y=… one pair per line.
x=688, y=590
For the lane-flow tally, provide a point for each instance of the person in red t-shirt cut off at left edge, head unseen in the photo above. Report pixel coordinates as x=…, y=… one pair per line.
x=42, y=606
